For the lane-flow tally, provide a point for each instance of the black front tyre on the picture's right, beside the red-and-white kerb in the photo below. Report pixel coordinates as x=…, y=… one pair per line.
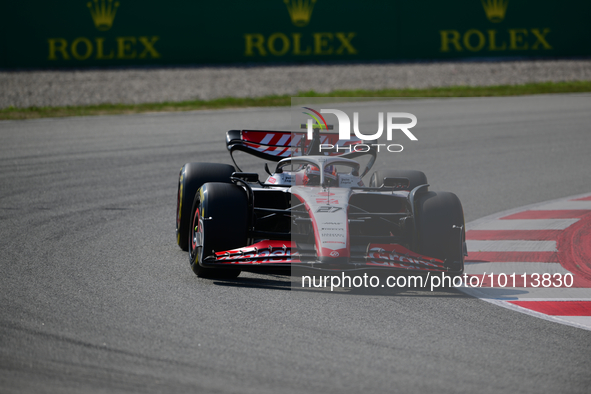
x=440, y=228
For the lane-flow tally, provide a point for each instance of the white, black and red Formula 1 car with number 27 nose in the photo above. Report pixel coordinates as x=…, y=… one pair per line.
x=314, y=212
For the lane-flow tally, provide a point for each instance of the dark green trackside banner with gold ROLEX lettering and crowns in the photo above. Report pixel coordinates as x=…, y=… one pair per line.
x=94, y=33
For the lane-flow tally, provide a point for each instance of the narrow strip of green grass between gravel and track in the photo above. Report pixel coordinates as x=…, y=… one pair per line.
x=281, y=101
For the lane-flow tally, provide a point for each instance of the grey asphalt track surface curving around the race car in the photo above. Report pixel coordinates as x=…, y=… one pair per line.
x=95, y=296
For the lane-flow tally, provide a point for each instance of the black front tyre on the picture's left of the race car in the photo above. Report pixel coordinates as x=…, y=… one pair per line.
x=220, y=222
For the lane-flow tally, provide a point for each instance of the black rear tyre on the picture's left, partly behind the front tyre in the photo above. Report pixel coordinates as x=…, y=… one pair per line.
x=191, y=178
